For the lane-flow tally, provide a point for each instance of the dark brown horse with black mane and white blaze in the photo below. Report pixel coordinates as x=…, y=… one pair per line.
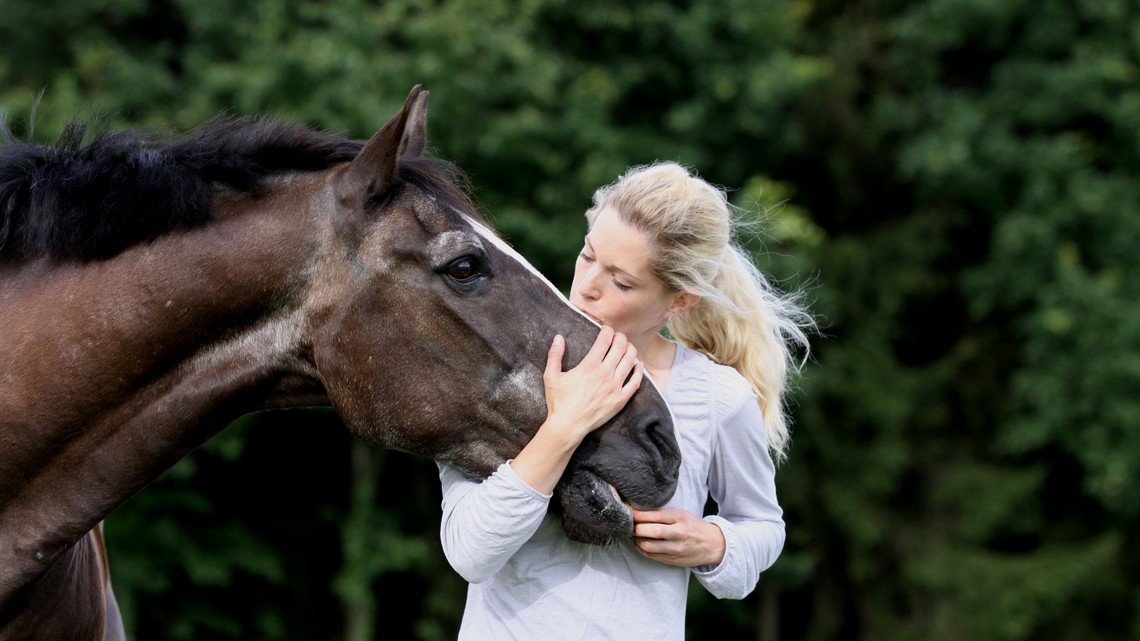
x=154, y=289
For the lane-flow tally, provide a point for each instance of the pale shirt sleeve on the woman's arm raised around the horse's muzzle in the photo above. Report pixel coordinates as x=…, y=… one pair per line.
x=485, y=523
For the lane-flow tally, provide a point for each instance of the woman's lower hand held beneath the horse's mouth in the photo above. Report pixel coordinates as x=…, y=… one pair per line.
x=678, y=538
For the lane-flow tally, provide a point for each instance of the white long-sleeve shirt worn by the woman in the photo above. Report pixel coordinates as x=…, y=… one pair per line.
x=530, y=582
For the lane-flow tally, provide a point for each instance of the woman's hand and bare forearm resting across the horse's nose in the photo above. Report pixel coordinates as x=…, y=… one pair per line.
x=579, y=402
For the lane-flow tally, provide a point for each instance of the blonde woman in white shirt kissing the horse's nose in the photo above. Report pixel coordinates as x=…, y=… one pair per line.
x=658, y=255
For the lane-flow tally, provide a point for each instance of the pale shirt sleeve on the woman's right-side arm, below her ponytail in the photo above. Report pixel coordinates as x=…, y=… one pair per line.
x=743, y=483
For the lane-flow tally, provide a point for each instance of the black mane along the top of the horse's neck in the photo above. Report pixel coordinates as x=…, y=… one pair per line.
x=92, y=199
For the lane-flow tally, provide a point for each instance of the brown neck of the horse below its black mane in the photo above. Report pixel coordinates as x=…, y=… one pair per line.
x=119, y=369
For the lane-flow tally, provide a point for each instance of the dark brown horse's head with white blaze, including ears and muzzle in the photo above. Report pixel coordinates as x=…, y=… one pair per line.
x=434, y=338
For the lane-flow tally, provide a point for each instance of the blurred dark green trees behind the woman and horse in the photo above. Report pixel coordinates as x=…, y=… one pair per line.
x=954, y=183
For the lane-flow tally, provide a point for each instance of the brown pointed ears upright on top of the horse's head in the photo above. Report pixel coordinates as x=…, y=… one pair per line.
x=373, y=172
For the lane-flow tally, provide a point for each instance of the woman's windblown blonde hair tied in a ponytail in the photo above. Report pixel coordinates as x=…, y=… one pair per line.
x=742, y=320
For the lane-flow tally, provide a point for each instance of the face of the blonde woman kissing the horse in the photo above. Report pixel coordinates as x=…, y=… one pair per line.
x=613, y=281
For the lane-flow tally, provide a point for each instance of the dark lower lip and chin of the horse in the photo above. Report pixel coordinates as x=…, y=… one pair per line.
x=592, y=510
